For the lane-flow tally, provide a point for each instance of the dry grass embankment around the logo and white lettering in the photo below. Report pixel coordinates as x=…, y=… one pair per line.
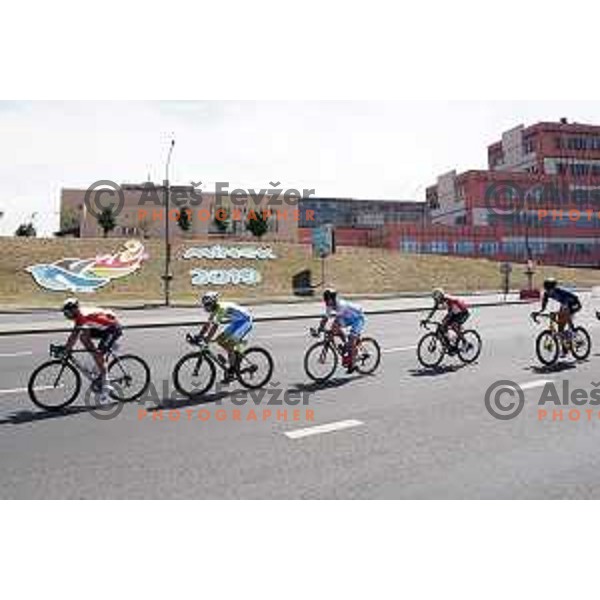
x=352, y=271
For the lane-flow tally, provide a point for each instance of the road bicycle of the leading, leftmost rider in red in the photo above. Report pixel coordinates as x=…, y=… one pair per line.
x=56, y=383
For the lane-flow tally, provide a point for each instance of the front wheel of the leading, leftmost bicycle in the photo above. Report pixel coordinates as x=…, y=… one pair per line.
x=54, y=385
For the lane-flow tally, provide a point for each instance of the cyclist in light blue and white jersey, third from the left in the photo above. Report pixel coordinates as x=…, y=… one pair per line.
x=345, y=316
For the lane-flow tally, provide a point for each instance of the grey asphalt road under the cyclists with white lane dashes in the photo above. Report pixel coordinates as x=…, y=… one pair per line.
x=403, y=433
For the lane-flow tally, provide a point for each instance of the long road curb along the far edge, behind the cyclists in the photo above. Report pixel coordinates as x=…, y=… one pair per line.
x=195, y=323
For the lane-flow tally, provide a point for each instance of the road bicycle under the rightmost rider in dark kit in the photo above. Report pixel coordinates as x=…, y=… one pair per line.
x=574, y=340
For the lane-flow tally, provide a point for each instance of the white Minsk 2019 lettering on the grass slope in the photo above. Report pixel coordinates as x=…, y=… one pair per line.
x=242, y=276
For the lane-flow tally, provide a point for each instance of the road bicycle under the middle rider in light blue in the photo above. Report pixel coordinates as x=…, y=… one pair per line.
x=322, y=358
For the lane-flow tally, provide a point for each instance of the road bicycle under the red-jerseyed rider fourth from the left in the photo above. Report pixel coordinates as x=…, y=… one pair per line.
x=434, y=346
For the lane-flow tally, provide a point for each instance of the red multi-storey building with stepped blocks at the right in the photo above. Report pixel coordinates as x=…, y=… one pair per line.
x=540, y=199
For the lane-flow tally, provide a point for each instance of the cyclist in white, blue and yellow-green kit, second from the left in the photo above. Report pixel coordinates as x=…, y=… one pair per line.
x=238, y=321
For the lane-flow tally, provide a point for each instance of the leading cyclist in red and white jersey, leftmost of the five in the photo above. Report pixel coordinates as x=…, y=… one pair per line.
x=93, y=324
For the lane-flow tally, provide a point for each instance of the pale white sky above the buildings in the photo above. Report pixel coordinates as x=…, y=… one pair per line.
x=357, y=149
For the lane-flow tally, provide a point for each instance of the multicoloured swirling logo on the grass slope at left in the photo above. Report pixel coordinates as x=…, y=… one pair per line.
x=88, y=275
